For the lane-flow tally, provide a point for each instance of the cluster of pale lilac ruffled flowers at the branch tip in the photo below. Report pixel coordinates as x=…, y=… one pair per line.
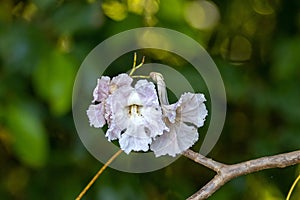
x=141, y=118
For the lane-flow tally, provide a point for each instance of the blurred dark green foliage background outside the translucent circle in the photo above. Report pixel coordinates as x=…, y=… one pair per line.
x=255, y=44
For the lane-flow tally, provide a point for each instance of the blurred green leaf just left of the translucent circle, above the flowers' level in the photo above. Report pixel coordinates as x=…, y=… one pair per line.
x=53, y=80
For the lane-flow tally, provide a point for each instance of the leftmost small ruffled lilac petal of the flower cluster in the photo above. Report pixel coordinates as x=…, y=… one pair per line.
x=96, y=115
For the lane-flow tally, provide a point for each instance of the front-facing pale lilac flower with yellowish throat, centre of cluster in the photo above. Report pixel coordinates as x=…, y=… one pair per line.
x=136, y=117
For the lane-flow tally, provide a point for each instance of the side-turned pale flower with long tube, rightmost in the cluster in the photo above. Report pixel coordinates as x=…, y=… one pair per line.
x=182, y=118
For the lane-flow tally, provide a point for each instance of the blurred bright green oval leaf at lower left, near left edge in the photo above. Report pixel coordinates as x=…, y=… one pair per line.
x=29, y=136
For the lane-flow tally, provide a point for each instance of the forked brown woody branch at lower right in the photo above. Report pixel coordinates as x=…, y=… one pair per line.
x=227, y=172
